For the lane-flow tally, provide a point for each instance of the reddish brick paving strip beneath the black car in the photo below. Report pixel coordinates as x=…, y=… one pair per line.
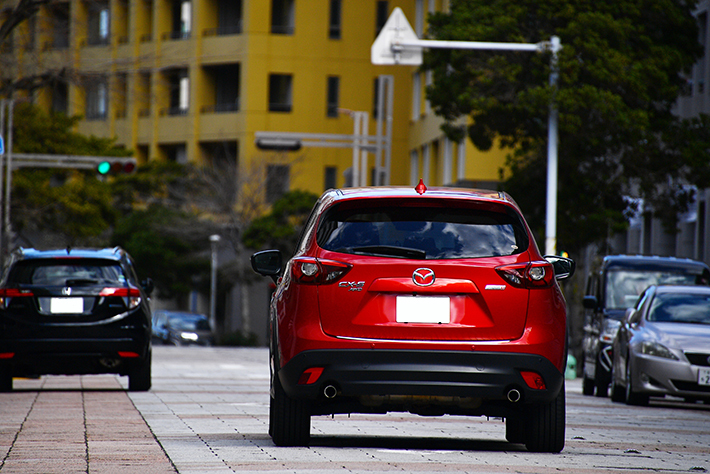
x=75, y=425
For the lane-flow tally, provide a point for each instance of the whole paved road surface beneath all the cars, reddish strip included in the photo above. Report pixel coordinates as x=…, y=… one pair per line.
x=208, y=413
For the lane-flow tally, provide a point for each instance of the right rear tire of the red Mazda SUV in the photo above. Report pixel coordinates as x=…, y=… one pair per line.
x=545, y=427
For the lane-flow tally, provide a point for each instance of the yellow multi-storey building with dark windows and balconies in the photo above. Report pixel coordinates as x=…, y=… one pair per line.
x=194, y=80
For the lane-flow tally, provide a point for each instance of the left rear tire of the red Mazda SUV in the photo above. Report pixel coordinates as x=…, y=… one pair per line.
x=290, y=422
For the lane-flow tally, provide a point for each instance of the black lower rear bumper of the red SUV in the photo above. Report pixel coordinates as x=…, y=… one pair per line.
x=488, y=376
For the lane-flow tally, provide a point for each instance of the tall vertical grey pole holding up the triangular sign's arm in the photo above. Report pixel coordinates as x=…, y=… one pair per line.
x=551, y=212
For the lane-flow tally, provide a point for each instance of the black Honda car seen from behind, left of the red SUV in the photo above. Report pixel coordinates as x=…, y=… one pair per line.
x=70, y=312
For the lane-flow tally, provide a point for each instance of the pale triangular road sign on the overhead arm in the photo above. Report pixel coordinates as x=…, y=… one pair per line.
x=396, y=29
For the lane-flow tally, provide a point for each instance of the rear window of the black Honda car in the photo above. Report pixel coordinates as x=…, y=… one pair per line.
x=66, y=272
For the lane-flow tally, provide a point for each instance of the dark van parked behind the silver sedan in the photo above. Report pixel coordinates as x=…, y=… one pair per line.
x=614, y=287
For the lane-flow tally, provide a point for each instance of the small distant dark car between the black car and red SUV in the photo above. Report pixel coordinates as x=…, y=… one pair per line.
x=180, y=328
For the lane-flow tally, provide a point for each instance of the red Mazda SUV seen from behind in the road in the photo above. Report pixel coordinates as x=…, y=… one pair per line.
x=425, y=301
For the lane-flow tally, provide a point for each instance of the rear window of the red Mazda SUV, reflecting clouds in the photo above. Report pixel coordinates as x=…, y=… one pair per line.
x=426, y=231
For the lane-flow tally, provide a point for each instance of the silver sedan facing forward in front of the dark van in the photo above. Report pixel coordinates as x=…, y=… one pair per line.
x=663, y=346
